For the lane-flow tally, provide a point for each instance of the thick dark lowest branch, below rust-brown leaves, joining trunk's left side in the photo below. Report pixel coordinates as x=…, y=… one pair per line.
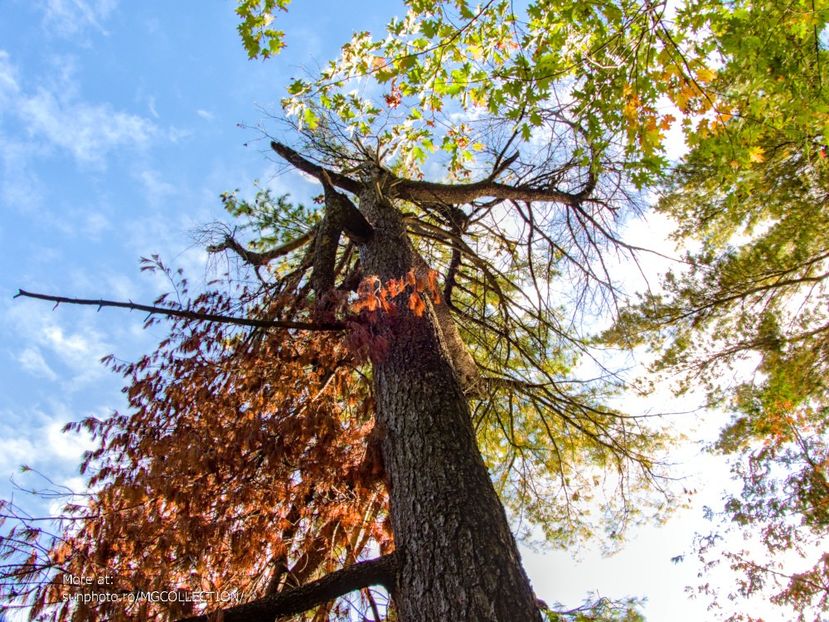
x=378, y=571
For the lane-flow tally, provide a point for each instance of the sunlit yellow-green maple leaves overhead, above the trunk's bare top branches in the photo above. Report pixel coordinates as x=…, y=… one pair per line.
x=599, y=66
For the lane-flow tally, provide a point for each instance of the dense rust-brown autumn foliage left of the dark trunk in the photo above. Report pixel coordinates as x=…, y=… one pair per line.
x=243, y=467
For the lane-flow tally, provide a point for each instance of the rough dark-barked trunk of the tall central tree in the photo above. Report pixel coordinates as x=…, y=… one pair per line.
x=457, y=559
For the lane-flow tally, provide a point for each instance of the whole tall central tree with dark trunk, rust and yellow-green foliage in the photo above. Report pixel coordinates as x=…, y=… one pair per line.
x=415, y=330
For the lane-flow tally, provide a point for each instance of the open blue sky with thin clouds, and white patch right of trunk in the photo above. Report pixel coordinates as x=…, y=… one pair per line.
x=118, y=132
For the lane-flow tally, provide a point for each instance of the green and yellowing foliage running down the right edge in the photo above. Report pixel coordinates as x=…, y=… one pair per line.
x=751, y=196
